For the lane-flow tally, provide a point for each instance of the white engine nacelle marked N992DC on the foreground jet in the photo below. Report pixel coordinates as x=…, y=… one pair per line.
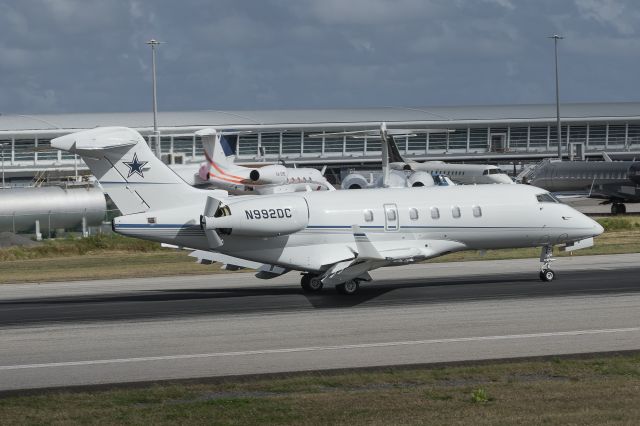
x=262, y=217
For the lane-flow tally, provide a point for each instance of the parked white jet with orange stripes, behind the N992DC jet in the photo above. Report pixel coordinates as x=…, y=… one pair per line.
x=220, y=171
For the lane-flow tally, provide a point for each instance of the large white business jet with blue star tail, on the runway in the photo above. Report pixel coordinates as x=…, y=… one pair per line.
x=333, y=237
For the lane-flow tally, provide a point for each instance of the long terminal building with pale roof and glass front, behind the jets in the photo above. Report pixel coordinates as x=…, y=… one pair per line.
x=504, y=134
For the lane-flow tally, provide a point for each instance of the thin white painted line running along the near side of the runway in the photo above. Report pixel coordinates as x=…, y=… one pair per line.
x=319, y=348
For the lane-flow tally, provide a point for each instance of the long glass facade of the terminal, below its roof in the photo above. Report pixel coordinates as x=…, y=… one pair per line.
x=518, y=138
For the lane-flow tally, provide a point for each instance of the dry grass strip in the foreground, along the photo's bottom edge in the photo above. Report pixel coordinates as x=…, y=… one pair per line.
x=585, y=391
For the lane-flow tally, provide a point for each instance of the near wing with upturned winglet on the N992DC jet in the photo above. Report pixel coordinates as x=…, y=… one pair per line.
x=369, y=256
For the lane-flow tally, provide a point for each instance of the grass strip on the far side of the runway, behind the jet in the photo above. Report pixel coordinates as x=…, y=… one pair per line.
x=115, y=256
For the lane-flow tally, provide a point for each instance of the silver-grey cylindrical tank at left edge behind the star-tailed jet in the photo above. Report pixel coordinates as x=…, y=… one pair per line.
x=54, y=207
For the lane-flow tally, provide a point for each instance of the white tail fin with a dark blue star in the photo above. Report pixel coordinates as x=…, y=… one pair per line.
x=134, y=178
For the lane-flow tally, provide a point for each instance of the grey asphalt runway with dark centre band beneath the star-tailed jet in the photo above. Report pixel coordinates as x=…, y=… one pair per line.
x=94, y=332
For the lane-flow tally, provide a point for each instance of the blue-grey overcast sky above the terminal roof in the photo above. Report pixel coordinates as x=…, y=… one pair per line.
x=60, y=56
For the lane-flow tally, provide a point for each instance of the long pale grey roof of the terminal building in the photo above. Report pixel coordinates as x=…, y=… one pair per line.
x=300, y=118
